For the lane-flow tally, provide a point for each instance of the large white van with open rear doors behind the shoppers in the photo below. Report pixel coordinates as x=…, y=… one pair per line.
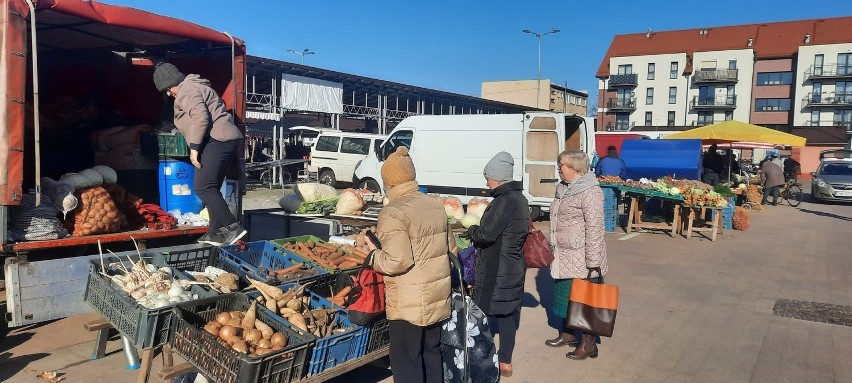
x=450, y=152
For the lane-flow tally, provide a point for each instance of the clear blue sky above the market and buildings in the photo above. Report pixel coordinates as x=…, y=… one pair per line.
x=455, y=45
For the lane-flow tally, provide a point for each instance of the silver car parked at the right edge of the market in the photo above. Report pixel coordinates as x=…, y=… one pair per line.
x=833, y=179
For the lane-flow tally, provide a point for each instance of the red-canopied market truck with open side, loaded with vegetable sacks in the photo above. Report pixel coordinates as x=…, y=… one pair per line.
x=71, y=68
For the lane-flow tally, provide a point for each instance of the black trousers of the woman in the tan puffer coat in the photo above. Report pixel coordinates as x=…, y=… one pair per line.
x=415, y=352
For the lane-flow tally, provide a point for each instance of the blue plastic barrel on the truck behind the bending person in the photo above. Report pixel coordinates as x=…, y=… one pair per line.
x=176, y=190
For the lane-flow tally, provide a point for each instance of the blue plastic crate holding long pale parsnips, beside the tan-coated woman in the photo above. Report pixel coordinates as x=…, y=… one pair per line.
x=335, y=349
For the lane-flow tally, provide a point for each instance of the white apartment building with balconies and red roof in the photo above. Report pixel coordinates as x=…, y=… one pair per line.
x=794, y=76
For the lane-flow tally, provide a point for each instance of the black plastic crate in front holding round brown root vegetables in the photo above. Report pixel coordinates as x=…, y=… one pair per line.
x=224, y=365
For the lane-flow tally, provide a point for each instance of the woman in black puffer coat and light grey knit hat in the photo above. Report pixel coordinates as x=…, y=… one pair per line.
x=500, y=267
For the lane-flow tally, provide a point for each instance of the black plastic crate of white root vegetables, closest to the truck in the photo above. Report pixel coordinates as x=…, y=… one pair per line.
x=146, y=328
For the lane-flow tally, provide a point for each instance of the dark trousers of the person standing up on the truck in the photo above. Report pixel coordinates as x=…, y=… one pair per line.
x=215, y=158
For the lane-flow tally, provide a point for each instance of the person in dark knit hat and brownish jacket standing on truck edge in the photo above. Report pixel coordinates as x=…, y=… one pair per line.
x=213, y=138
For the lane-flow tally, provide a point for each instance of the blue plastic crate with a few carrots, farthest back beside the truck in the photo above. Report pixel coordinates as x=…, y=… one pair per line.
x=255, y=259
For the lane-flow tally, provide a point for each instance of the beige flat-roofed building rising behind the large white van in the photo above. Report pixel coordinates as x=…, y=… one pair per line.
x=553, y=97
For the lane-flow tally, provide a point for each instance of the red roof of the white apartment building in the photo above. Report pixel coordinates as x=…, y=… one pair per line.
x=770, y=40
